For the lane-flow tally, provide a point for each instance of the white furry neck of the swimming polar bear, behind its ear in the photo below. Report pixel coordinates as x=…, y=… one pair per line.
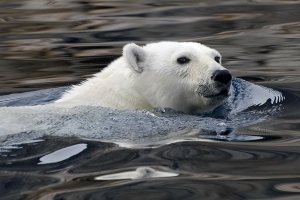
x=113, y=87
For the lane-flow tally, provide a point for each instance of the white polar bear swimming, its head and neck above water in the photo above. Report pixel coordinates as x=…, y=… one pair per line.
x=184, y=76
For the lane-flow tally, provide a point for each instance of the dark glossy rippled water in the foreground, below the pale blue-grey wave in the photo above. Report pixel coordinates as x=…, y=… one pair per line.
x=181, y=170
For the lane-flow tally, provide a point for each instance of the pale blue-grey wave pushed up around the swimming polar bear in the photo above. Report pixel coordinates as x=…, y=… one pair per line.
x=26, y=116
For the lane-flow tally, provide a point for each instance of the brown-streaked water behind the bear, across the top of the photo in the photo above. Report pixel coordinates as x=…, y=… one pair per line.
x=47, y=43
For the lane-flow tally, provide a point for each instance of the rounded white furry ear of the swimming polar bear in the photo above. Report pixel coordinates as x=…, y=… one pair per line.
x=134, y=56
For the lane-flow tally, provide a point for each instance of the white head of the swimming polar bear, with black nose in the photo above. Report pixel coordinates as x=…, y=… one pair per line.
x=184, y=76
